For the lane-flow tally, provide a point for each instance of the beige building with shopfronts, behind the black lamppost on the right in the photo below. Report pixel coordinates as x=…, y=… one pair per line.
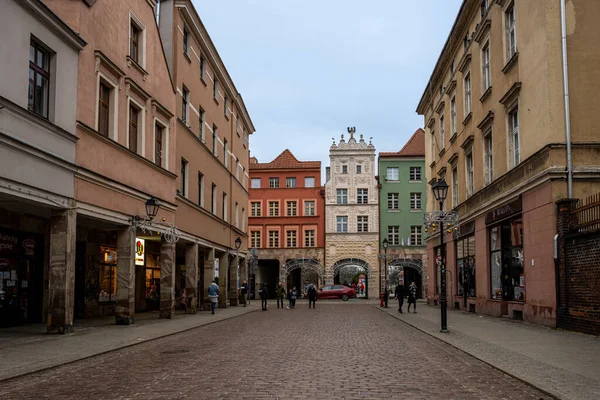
x=494, y=111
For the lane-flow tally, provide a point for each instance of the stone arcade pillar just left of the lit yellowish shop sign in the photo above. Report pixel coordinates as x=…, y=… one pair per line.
x=125, y=308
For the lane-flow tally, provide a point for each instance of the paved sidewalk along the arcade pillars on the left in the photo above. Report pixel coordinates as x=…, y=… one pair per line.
x=29, y=349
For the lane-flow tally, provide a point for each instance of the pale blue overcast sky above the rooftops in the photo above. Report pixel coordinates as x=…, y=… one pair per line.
x=307, y=69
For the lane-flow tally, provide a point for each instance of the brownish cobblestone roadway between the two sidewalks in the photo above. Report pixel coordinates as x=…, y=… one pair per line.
x=337, y=351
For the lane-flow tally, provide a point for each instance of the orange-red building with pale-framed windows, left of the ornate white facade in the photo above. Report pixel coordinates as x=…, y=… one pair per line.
x=286, y=223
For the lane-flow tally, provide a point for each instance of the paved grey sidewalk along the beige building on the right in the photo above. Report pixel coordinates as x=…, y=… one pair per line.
x=563, y=364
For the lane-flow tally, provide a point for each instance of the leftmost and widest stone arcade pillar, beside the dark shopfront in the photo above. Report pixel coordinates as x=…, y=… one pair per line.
x=61, y=274
